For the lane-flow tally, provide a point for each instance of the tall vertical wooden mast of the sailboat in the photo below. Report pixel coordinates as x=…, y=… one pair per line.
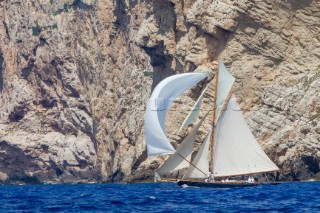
x=213, y=119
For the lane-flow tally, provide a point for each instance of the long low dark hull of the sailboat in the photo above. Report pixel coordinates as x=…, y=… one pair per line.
x=216, y=184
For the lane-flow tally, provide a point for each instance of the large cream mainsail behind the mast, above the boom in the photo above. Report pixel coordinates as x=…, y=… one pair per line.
x=236, y=151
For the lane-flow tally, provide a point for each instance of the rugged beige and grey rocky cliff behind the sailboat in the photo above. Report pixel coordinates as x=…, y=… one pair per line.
x=75, y=76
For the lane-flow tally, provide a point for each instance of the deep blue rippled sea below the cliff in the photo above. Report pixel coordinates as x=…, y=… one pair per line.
x=159, y=197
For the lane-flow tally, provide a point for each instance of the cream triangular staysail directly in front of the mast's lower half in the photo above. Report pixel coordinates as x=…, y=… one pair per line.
x=201, y=161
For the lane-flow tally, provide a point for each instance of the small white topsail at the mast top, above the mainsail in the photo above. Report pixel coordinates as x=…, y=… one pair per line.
x=225, y=82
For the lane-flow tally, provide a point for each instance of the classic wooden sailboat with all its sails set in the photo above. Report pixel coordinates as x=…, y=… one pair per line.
x=229, y=149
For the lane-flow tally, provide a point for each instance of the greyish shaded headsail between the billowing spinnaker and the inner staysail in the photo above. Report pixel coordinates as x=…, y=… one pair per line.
x=175, y=161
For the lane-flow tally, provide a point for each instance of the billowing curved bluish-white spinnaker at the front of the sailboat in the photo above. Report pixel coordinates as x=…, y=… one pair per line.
x=161, y=99
